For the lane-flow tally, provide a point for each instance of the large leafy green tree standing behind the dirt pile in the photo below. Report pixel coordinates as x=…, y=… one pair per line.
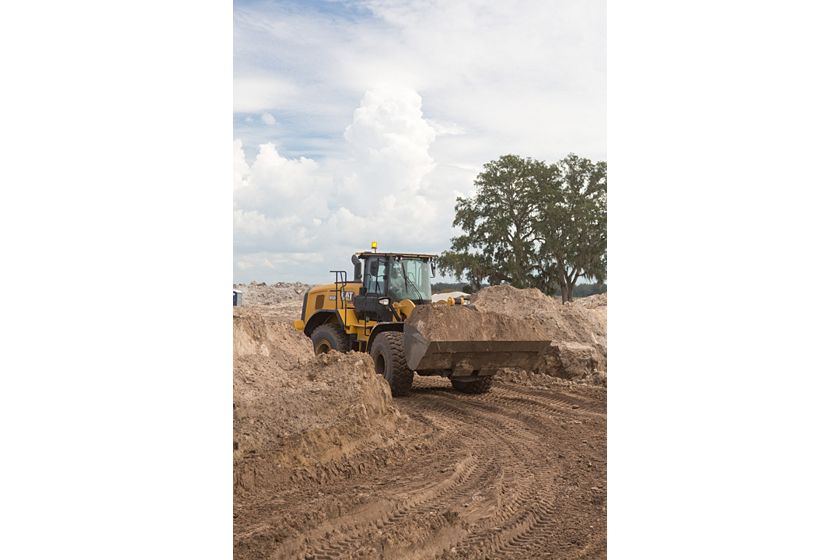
x=532, y=224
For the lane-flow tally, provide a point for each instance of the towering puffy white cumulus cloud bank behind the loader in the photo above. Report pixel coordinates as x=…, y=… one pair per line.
x=378, y=190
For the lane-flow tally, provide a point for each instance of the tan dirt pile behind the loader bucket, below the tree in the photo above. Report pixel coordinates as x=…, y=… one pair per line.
x=578, y=330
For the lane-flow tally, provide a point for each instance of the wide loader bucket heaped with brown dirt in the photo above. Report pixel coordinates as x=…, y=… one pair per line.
x=467, y=341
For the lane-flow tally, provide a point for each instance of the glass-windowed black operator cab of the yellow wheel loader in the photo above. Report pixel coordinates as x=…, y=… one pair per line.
x=388, y=278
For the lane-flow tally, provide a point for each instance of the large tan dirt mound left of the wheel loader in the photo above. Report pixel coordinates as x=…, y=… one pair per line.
x=294, y=410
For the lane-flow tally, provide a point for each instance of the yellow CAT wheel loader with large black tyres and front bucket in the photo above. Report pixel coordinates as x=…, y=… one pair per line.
x=369, y=314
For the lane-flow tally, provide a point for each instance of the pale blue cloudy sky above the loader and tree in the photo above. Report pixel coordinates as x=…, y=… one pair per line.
x=356, y=121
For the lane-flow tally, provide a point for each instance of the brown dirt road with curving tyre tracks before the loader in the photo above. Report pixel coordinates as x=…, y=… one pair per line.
x=519, y=472
